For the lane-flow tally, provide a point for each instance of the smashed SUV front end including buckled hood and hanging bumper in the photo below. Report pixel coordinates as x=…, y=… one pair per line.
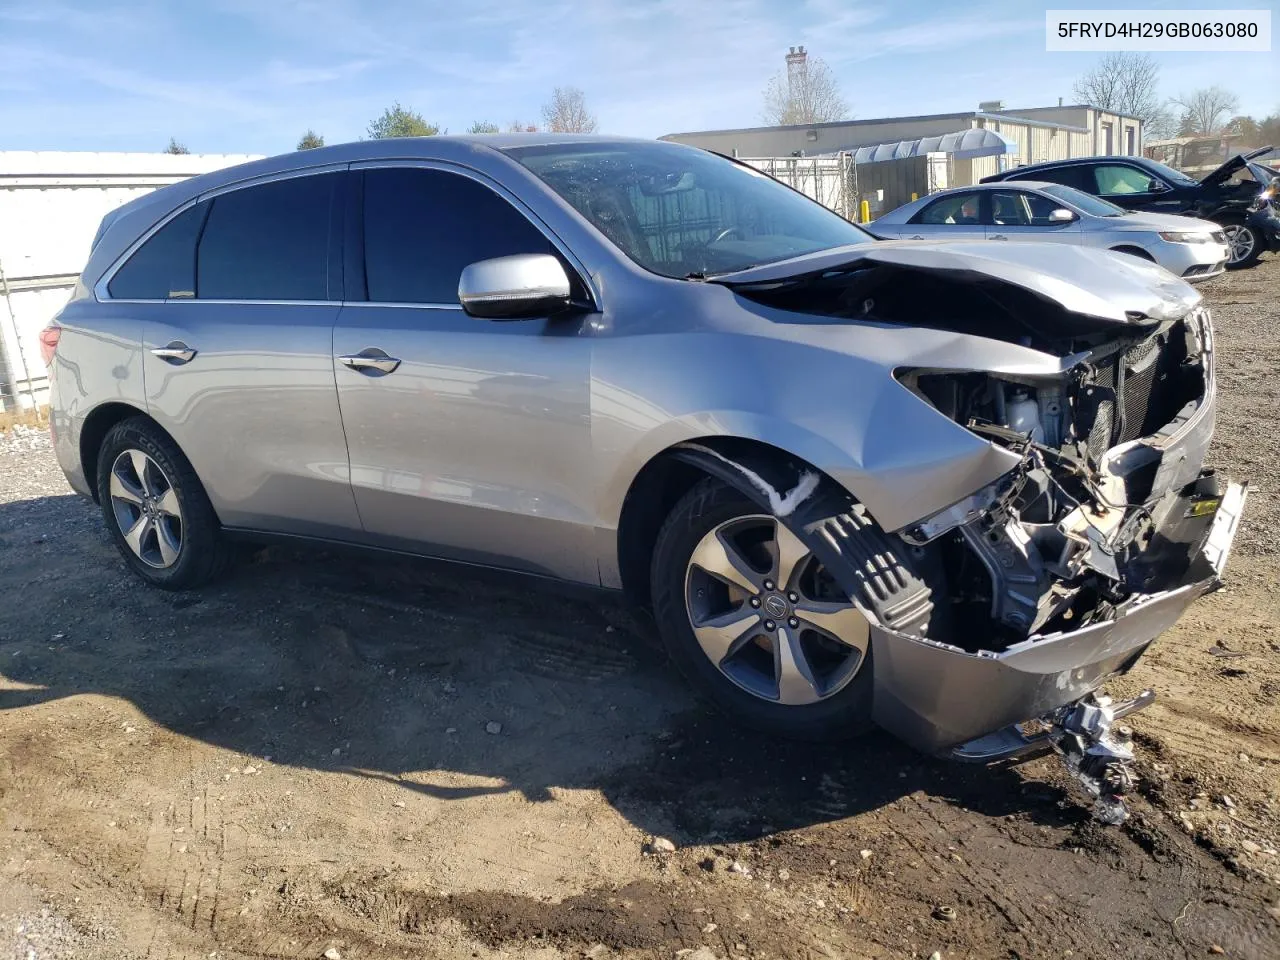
x=1009, y=609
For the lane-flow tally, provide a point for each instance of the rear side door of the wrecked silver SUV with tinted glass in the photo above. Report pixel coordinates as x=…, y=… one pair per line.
x=245, y=290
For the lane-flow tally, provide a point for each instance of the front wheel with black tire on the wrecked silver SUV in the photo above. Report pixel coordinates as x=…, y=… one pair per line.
x=756, y=623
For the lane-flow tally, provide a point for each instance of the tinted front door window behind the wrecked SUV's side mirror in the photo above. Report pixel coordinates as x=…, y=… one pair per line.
x=423, y=227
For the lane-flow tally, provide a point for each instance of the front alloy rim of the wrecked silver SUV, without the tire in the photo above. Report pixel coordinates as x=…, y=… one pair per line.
x=769, y=616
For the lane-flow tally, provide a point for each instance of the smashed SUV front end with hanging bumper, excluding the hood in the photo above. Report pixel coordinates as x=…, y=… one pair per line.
x=1062, y=573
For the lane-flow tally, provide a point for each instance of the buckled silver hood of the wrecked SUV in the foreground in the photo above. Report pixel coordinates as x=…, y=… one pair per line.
x=1098, y=285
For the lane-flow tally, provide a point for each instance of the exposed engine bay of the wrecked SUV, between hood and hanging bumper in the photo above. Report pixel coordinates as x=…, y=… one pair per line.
x=1091, y=516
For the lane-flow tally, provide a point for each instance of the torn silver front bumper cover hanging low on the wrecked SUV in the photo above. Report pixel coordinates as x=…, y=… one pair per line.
x=938, y=697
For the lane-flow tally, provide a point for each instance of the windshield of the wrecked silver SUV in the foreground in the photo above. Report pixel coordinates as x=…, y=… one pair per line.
x=683, y=212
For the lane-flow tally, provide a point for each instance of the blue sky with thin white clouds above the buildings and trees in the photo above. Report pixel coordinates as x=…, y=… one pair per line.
x=250, y=76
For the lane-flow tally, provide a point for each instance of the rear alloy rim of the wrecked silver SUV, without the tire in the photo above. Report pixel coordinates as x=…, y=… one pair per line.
x=147, y=509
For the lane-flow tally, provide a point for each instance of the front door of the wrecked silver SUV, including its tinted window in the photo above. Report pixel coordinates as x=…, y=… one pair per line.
x=469, y=438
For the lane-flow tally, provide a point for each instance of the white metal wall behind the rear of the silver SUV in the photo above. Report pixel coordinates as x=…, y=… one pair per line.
x=51, y=208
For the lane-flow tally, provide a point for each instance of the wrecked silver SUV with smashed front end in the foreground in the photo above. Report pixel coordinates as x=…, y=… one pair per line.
x=947, y=487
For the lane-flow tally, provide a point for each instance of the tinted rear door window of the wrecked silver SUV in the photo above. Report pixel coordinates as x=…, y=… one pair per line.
x=269, y=243
